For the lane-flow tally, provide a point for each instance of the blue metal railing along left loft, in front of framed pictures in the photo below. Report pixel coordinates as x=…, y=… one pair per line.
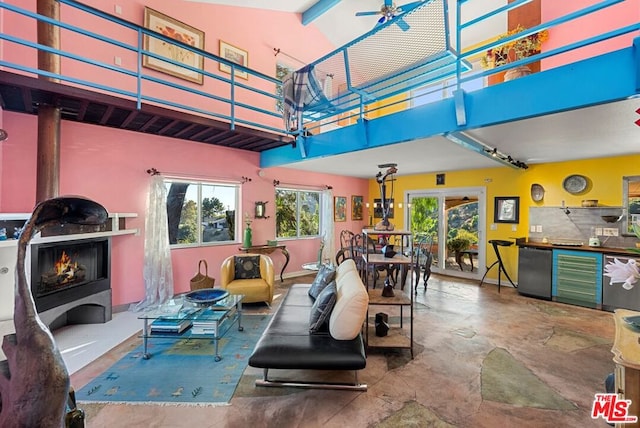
x=228, y=102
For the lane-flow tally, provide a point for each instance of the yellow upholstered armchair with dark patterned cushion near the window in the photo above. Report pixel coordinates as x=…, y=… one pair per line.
x=248, y=274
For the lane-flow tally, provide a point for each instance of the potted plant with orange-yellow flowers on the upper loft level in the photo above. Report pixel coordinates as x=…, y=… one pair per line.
x=514, y=50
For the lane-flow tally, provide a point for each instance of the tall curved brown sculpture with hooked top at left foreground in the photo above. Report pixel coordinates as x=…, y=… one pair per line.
x=34, y=381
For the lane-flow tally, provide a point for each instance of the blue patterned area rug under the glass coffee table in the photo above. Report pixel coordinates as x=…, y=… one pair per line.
x=181, y=371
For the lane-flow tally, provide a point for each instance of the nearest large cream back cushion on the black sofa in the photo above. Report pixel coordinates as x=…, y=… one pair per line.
x=350, y=310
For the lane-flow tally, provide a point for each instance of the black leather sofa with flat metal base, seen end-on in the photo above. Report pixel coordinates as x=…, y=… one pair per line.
x=287, y=344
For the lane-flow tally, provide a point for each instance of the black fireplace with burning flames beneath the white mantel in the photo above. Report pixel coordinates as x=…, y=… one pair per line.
x=70, y=281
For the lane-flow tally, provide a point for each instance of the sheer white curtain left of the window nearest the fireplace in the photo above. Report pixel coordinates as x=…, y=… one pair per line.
x=157, y=270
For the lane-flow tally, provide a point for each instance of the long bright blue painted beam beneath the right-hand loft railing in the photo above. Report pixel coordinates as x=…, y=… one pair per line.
x=606, y=78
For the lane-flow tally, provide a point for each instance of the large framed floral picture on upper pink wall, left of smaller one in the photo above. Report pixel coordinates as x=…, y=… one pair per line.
x=169, y=27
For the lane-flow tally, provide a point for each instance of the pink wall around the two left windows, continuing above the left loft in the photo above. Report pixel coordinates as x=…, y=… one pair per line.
x=109, y=165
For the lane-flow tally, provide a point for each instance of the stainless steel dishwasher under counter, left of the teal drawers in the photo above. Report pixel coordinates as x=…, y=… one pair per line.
x=534, y=272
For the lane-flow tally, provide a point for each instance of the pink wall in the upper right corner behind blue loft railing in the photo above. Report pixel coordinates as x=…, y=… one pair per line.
x=614, y=17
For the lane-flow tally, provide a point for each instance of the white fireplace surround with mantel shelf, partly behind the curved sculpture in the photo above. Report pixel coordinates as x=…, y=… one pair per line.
x=8, y=258
